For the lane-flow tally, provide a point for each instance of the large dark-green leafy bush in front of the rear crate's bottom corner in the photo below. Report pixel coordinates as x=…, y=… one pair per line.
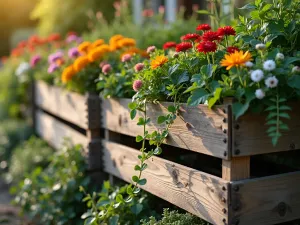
x=52, y=195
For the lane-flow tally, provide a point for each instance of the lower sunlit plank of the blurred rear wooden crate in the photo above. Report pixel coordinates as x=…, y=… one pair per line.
x=54, y=131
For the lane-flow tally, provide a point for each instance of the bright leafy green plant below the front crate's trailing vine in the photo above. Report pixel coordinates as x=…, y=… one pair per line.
x=106, y=206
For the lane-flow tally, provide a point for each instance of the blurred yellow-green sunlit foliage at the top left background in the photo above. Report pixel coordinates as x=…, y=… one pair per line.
x=63, y=16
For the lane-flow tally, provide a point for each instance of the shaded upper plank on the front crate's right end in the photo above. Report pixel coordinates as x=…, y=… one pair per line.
x=250, y=137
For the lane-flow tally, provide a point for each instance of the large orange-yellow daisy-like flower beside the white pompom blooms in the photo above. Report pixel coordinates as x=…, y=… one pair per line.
x=238, y=58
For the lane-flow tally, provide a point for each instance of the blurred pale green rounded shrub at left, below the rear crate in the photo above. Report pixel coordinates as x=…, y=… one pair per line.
x=28, y=155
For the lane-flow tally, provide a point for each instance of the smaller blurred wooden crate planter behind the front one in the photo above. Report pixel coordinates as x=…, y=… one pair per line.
x=57, y=113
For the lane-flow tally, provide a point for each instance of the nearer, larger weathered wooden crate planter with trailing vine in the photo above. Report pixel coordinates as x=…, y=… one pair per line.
x=233, y=199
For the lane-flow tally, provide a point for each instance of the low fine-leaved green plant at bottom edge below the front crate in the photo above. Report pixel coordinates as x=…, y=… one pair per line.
x=175, y=218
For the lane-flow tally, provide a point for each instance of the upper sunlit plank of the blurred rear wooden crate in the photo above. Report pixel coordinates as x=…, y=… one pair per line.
x=69, y=106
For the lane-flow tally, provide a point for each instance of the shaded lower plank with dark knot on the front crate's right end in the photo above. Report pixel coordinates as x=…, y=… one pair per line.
x=266, y=201
